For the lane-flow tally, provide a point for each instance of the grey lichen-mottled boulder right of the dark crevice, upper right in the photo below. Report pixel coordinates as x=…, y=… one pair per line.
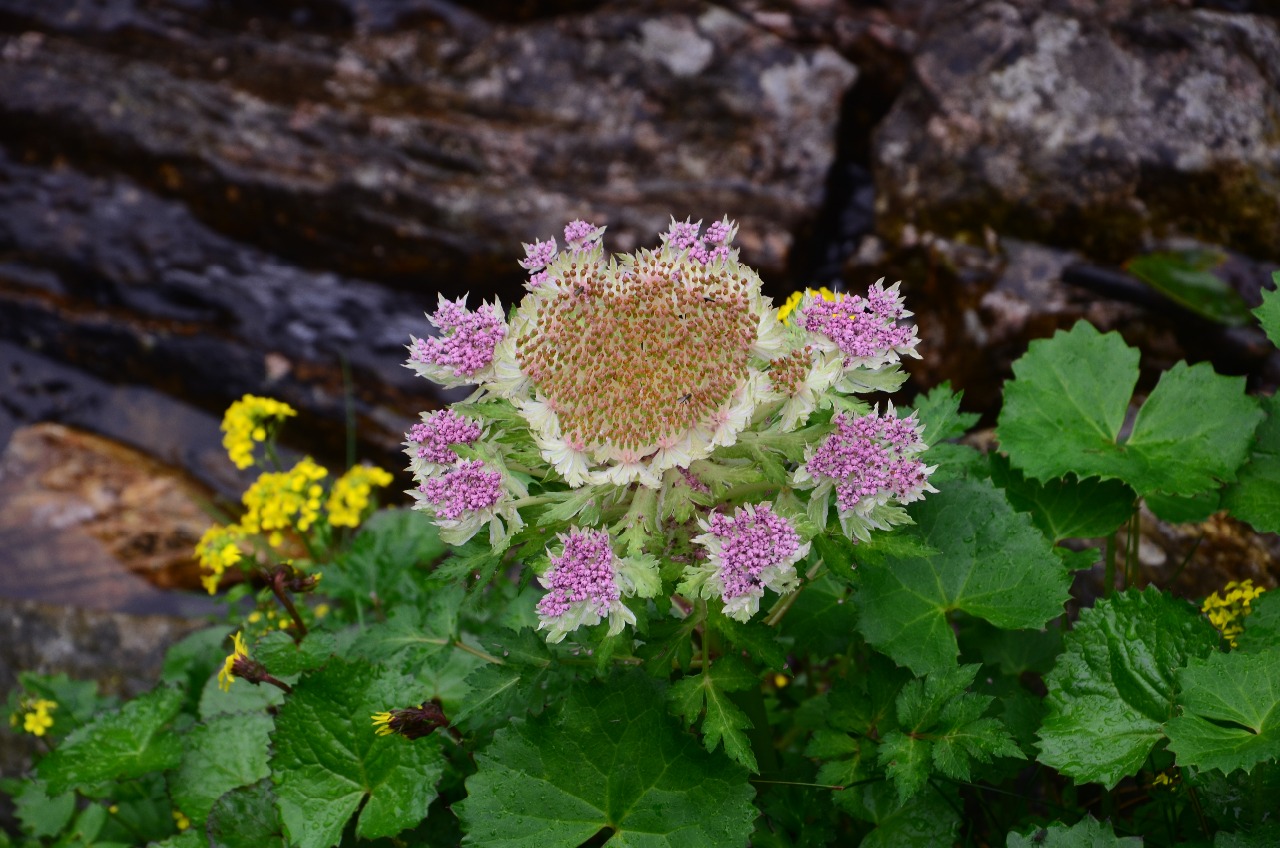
x=1089, y=125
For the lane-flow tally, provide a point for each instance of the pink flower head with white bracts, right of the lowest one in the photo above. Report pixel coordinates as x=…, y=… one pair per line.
x=752, y=551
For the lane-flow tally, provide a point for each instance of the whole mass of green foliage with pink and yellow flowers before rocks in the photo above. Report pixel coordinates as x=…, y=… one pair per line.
x=679, y=583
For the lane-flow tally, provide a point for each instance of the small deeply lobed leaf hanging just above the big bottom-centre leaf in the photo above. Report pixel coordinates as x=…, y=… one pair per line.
x=724, y=721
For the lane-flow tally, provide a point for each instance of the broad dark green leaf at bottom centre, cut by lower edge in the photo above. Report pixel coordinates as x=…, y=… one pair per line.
x=607, y=759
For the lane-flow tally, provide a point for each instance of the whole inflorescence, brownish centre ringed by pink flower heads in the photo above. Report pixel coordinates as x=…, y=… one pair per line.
x=637, y=405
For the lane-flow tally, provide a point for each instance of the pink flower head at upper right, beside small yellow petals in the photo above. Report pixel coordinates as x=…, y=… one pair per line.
x=863, y=329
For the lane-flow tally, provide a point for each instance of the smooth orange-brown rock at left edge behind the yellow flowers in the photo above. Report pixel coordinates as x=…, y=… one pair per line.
x=88, y=522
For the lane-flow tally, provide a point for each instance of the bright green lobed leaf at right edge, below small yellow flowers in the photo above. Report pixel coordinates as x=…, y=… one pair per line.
x=1231, y=712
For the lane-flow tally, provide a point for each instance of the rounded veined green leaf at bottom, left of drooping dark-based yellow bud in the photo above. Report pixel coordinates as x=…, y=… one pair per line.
x=328, y=762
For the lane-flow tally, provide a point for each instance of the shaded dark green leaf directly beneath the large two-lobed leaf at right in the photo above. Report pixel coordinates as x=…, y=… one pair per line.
x=1066, y=509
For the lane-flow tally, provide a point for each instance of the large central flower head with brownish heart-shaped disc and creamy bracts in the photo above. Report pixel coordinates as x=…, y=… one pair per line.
x=641, y=363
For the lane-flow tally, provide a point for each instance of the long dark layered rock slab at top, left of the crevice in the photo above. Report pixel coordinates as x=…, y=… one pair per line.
x=424, y=148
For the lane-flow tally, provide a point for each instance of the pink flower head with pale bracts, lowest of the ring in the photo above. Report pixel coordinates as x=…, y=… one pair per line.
x=583, y=586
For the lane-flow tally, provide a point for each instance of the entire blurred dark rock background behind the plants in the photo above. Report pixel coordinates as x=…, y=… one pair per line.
x=207, y=198
